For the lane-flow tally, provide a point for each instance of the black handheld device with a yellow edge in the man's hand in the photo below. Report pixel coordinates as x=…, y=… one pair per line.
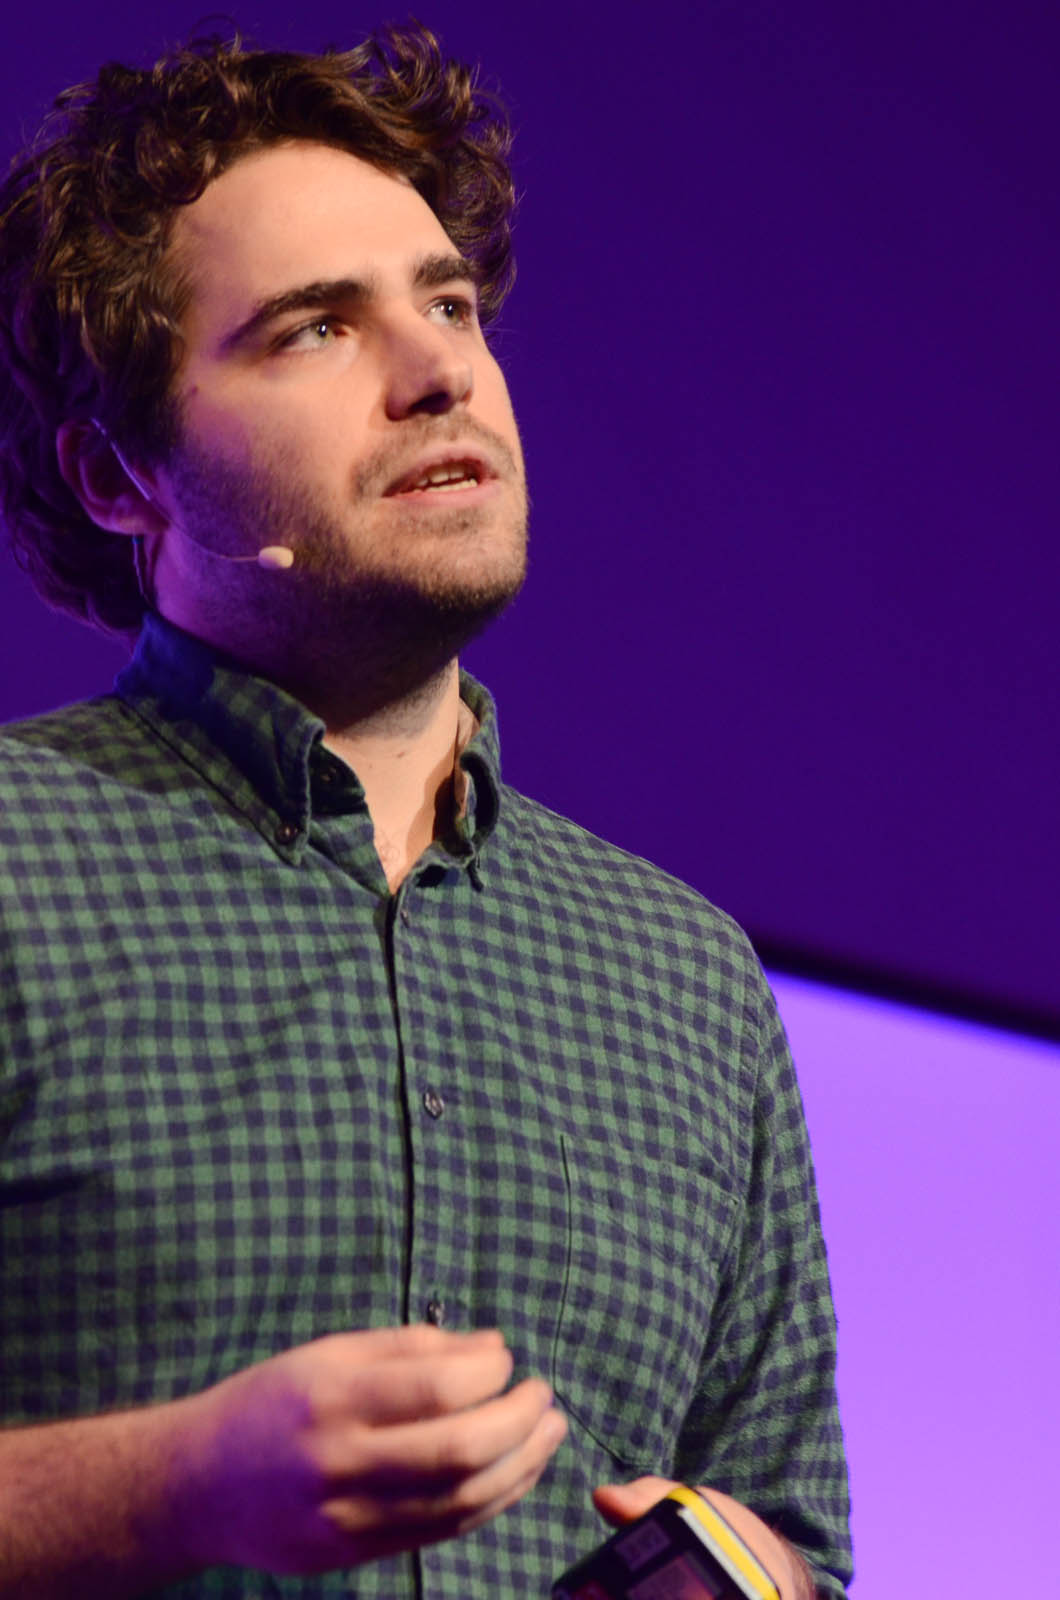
x=681, y=1550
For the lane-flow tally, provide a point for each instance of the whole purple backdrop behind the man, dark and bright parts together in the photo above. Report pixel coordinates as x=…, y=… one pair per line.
x=787, y=356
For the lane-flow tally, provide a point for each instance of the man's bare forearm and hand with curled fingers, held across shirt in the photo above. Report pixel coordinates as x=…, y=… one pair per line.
x=331, y=1455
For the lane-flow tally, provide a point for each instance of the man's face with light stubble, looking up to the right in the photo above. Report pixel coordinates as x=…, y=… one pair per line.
x=335, y=396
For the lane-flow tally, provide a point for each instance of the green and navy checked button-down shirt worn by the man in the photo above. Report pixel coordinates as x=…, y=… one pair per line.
x=249, y=1098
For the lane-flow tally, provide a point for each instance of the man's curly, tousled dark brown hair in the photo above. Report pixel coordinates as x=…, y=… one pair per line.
x=90, y=303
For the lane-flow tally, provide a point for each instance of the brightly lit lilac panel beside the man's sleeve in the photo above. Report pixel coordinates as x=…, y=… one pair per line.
x=936, y=1148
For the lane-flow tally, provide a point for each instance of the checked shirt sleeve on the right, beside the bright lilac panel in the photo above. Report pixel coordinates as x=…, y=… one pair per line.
x=765, y=1426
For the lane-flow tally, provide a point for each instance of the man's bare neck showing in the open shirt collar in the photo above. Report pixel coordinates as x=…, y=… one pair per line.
x=404, y=758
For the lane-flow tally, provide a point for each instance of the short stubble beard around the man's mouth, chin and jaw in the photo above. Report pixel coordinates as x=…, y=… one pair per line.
x=347, y=614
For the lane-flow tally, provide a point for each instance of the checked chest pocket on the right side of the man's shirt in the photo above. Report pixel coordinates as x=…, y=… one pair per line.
x=646, y=1247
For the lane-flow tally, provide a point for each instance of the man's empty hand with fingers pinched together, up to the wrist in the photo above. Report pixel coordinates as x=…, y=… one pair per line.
x=361, y=1446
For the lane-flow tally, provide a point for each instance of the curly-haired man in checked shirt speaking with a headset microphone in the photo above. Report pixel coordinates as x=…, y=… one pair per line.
x=324, y=1054
